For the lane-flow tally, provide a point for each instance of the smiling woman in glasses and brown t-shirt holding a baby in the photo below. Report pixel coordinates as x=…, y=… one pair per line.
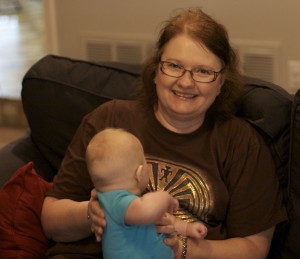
x=214, y=163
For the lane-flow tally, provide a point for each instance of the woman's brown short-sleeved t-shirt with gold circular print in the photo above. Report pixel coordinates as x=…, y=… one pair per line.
x=222, y=173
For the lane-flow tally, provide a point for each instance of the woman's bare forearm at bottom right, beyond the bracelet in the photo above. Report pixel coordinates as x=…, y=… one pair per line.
x=254, y=246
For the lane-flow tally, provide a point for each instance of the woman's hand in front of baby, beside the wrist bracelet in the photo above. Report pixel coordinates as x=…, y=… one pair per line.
x=165, y=226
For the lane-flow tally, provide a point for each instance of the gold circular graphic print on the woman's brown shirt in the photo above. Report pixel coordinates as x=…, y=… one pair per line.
x=185, y=184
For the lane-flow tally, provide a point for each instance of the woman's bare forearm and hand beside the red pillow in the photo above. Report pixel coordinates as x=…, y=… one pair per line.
x=67, y=221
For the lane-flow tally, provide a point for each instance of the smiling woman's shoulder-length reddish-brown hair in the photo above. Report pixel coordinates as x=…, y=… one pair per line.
x=205, y=30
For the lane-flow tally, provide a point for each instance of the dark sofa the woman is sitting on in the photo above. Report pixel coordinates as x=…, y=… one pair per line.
x=57, y=92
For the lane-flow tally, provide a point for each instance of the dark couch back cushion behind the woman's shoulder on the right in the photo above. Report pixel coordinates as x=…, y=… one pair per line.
x=261, y=103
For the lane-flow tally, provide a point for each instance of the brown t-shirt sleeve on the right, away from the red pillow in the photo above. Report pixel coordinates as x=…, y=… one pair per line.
x=255, y=197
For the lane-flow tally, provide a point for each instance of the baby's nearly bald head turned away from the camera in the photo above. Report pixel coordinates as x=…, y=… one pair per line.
x=115, y=160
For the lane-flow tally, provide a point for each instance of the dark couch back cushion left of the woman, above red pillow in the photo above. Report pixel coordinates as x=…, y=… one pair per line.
x=57, y=92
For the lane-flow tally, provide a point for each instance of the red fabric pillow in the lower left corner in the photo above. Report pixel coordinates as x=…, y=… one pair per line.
x=21, y=200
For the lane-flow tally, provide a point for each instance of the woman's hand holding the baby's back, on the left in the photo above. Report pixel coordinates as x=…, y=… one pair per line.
x=96, y=216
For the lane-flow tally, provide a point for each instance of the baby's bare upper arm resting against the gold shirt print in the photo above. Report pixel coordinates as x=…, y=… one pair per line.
x=150, y=208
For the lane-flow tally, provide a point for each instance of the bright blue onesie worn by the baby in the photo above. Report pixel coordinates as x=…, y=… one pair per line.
x=128, y=241
